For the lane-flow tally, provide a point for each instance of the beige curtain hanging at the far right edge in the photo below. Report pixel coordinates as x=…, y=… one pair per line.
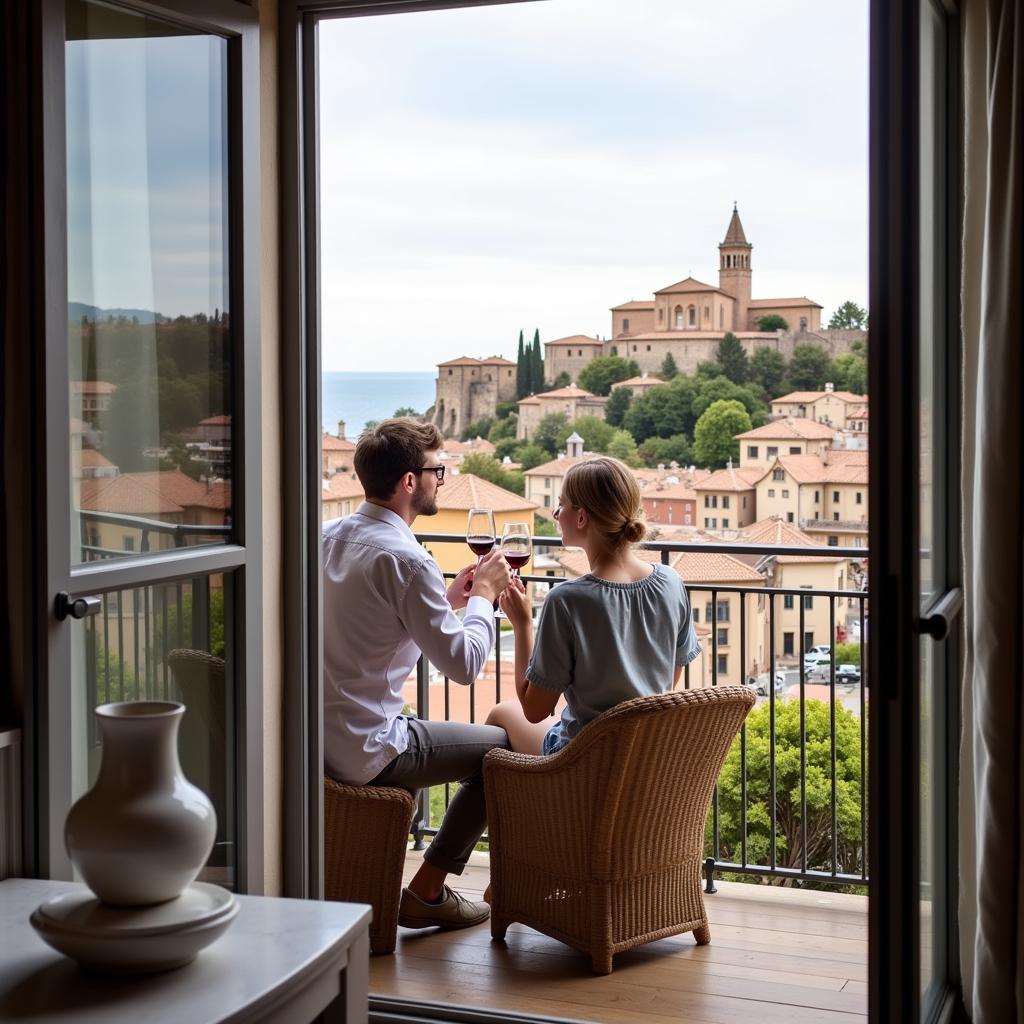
x=992, y=870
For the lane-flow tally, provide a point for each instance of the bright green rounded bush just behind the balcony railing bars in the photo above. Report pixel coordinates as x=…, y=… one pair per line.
x=850, y=780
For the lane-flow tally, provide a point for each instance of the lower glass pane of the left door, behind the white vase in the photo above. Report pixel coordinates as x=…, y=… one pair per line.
x=165, y=643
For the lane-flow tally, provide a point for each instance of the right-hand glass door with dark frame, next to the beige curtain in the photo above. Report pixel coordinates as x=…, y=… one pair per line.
x=916, y=617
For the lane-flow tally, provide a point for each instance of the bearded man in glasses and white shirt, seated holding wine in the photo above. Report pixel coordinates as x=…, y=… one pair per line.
x=385, y=603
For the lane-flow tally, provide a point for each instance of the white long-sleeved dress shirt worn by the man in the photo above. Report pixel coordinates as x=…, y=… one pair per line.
x=385, y=603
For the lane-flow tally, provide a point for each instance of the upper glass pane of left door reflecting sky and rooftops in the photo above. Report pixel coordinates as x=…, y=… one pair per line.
x=148, y=295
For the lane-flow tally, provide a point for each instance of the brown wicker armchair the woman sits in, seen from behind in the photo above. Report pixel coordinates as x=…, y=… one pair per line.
x=601, y=845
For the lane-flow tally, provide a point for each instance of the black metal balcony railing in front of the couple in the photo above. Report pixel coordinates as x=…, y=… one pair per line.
x=792, y=800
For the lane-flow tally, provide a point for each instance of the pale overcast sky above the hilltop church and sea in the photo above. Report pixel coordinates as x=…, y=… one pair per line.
x=532, y=165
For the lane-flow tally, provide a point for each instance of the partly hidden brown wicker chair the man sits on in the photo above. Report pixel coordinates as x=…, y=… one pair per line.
x=366, y=830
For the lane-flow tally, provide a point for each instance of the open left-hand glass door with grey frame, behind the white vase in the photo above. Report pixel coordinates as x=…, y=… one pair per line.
x=152, y=358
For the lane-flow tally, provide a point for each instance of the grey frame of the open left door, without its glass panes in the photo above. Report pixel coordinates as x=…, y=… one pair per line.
x=44, y=513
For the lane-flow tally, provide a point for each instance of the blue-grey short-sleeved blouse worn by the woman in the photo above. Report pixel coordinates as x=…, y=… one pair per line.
x=602, y=644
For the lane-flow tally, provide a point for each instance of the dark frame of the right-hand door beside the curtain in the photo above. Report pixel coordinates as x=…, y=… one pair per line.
x=894, y=661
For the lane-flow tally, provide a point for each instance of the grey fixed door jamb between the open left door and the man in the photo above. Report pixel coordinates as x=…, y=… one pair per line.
x=301, y=325
